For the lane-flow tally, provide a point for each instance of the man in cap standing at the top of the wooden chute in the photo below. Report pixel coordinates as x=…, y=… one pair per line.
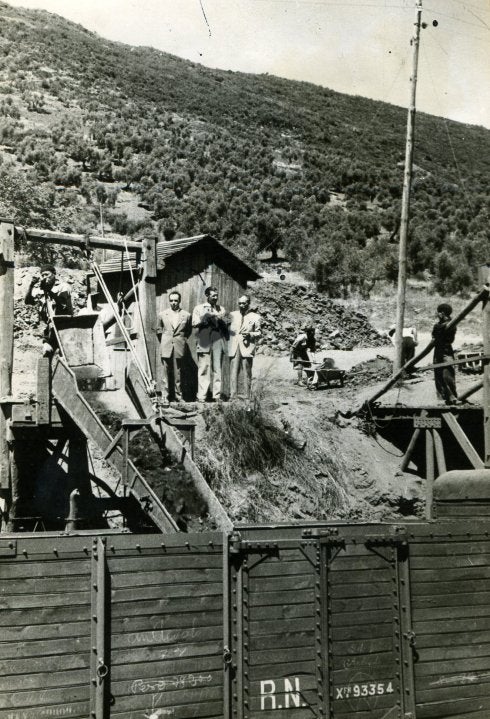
x=52, y=297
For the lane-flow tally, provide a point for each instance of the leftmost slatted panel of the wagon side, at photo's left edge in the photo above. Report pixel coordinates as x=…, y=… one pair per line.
x=45, y=628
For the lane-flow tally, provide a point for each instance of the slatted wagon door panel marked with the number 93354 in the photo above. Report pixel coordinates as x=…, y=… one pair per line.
x=366, y=628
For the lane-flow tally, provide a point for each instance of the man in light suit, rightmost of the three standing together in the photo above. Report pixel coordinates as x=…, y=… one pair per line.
x=244, y=332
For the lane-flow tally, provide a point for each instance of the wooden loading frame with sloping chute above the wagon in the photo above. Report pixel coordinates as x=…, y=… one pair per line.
x=61, y=410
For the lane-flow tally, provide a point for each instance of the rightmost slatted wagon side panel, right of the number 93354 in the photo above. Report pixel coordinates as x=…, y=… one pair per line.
x=450, y=580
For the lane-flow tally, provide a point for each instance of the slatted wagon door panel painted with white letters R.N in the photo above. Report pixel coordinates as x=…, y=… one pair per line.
x=277, y=632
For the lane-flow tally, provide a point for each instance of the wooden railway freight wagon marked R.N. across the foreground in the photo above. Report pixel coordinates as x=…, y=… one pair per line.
x=366, y=621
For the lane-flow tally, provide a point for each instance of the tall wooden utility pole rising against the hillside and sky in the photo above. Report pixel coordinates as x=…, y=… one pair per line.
x=407, y=179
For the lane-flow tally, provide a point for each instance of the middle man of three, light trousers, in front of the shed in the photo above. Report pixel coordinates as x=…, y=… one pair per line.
x=212, y=336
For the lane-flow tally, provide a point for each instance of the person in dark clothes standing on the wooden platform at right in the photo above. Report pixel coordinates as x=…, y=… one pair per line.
x=445, y=377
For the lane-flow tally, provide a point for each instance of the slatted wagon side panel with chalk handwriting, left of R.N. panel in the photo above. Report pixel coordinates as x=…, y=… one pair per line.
x=166, y=619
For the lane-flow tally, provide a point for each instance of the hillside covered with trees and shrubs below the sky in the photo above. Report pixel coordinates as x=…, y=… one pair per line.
x=145, y=141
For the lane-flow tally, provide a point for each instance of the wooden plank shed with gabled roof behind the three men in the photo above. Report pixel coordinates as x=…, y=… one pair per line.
x=187, y=265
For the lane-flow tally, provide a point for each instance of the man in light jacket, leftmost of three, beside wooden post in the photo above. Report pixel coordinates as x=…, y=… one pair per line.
x=174, y=324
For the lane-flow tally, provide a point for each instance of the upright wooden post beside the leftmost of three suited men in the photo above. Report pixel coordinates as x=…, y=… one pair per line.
x=148, y=304
